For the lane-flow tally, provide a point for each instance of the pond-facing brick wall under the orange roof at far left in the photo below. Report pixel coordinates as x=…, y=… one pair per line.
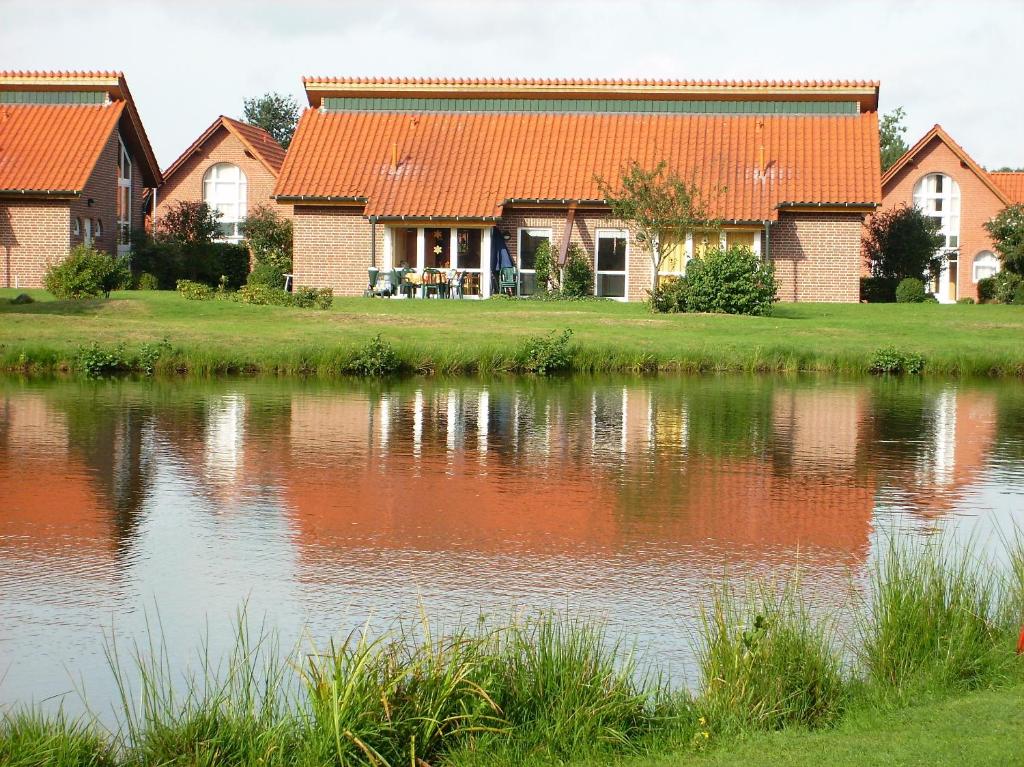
x=33, y=235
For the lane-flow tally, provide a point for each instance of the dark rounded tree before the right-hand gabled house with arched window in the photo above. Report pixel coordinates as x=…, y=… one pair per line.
x=904, y=242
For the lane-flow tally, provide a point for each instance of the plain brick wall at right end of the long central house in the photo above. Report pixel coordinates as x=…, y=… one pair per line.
x=818, y=257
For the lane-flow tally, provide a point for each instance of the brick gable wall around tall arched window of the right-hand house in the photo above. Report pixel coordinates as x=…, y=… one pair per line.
x=978, y=204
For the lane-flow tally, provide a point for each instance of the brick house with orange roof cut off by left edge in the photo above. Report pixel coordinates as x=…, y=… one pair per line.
x=75, y=164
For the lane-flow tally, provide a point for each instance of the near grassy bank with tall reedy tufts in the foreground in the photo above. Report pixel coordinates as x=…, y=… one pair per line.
x=936, y=626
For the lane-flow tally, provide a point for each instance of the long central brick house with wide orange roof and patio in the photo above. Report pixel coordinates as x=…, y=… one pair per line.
x=423, y=173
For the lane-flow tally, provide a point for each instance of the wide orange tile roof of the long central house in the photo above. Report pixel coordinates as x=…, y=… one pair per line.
x=468, y=165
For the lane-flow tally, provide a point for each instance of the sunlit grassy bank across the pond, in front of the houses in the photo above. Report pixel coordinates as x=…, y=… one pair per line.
x=457, y=337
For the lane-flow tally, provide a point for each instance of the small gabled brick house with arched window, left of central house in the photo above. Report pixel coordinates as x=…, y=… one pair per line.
x=233, y=166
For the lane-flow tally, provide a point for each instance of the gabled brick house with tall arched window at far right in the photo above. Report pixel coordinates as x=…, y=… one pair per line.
x=937, y=176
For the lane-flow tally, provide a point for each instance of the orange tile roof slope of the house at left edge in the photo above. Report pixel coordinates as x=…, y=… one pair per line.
x=49, y=148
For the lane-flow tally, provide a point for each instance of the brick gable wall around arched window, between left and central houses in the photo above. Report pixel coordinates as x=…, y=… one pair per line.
x=223, y=147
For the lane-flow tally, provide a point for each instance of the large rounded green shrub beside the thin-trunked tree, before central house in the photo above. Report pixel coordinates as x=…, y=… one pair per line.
x=734, y=282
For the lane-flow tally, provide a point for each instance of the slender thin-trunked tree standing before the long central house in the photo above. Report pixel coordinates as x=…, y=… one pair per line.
x=658, y=205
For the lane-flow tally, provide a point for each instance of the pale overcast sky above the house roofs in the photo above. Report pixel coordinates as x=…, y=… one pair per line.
x=958, y=64
